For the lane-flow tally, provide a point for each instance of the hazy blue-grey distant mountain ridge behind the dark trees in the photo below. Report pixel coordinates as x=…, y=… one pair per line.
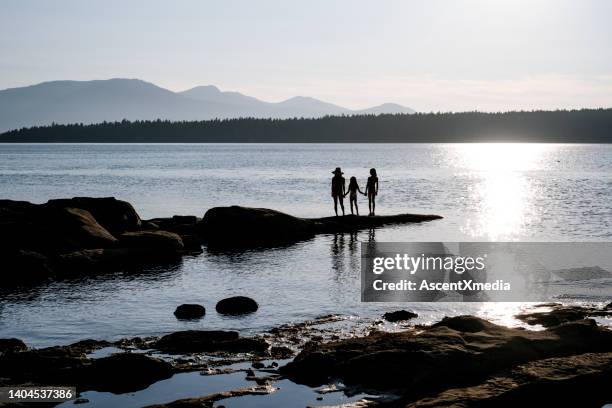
x=133, y=99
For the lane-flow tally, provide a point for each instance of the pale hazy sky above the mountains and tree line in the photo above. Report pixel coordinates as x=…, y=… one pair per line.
x=429, y=55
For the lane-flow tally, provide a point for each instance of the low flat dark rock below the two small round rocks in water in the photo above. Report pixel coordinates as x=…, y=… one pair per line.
x=192, y=341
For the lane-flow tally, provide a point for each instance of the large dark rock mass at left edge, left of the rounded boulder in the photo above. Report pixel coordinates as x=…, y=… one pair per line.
x=82, y=236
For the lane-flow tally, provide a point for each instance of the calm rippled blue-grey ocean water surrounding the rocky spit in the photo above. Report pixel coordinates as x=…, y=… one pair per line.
x=485, y=192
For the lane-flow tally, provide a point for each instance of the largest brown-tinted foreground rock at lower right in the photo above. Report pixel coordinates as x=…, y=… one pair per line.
x=459, y=351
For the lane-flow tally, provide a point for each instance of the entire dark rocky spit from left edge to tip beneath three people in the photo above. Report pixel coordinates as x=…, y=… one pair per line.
x=82, y=236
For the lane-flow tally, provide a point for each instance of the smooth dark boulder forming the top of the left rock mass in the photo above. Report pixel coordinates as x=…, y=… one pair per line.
x=115, y=215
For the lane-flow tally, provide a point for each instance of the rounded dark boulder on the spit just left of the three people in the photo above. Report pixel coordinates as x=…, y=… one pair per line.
x=242, y=226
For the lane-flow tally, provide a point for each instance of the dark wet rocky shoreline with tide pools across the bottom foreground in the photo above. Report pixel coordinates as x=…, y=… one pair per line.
x=461, y=361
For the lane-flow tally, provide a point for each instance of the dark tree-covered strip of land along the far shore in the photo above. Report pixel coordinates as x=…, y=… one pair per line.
x=575, y=126
